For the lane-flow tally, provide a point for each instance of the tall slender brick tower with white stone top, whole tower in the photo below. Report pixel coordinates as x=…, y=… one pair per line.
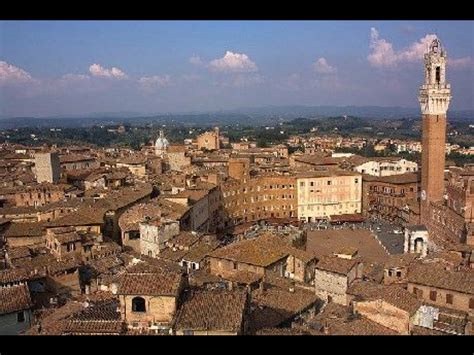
x=434, y=98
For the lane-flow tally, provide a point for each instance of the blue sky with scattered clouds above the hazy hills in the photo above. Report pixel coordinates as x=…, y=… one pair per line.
x=51, y=68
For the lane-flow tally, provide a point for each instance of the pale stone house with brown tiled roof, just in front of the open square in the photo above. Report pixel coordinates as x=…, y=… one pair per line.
x=333, y=276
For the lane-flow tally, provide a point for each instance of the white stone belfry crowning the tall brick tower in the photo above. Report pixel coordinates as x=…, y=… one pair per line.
x=435, y=93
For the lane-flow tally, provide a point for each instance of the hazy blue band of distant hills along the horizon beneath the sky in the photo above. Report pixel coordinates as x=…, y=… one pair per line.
x=248, y=116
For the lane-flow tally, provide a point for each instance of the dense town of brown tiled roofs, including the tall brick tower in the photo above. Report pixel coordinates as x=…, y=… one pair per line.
x=211, y=237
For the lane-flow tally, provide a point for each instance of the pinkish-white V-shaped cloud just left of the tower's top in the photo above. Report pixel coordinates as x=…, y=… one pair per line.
x=383, y=54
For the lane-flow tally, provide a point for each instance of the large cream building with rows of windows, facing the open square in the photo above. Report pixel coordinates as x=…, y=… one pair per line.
x=325, y=193
